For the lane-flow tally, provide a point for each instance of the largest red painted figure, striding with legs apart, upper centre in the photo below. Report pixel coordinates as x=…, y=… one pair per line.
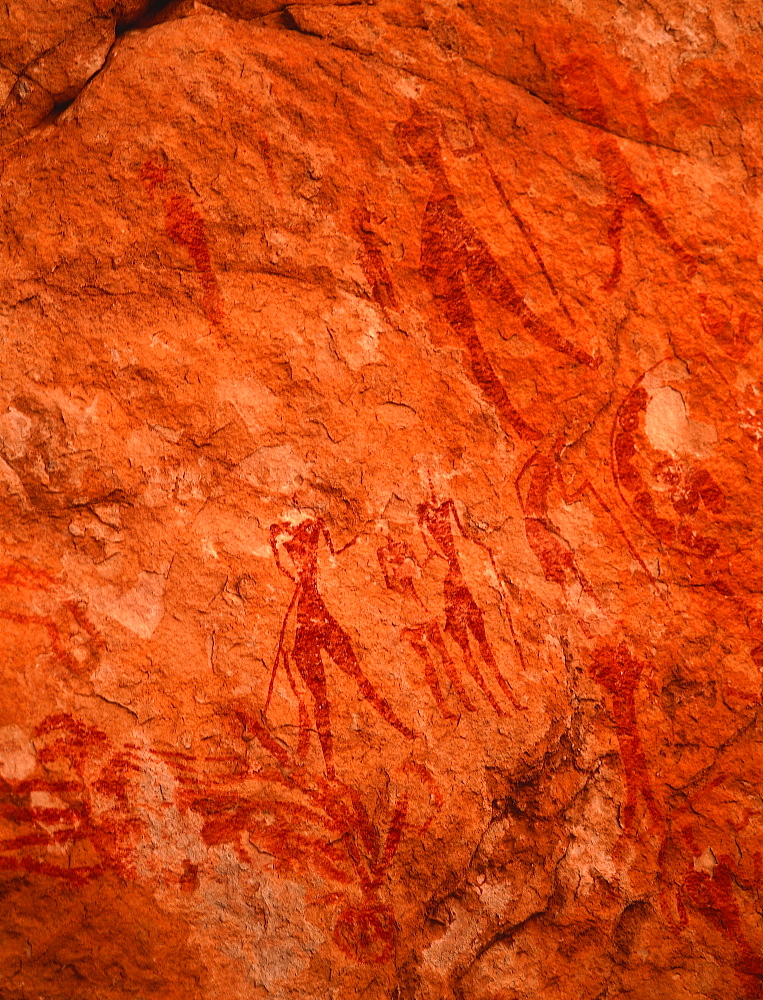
x=452, y=252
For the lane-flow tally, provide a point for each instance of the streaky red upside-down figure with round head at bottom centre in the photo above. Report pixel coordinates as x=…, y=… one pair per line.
x=317, y=830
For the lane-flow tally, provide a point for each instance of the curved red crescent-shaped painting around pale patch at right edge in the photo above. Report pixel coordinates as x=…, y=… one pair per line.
x=657, y=448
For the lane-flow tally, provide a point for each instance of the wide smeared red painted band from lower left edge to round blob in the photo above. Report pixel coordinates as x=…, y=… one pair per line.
x=85, y=812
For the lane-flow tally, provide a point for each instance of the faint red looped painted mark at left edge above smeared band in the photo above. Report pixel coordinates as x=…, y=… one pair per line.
x=73, y=638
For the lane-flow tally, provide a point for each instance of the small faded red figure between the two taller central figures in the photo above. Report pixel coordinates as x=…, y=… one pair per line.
x=397, y=561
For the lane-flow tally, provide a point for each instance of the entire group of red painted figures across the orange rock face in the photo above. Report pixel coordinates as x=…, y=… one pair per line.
x=317, y=823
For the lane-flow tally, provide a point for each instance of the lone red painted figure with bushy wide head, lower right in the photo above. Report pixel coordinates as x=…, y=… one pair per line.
x=619, y=673
